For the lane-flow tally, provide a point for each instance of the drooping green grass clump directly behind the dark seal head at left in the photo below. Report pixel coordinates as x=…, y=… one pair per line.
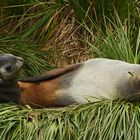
x=34, y=59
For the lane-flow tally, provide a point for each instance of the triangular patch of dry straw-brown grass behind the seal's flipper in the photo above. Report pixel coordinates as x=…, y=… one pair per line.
x=65, y=45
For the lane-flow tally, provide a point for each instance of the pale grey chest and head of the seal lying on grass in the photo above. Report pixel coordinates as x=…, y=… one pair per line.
x=100, y=79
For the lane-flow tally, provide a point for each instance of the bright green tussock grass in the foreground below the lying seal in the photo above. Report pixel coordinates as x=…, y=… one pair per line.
x=102, y=120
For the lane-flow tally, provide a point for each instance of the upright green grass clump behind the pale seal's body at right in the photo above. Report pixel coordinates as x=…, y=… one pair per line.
x=118, y=40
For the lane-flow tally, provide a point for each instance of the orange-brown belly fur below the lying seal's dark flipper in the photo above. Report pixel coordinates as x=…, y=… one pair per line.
x=39, y=95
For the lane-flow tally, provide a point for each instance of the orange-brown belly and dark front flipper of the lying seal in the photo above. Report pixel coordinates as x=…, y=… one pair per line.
x=41, y=91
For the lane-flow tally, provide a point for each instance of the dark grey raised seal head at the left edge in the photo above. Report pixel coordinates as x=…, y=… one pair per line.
x=9, y=67
